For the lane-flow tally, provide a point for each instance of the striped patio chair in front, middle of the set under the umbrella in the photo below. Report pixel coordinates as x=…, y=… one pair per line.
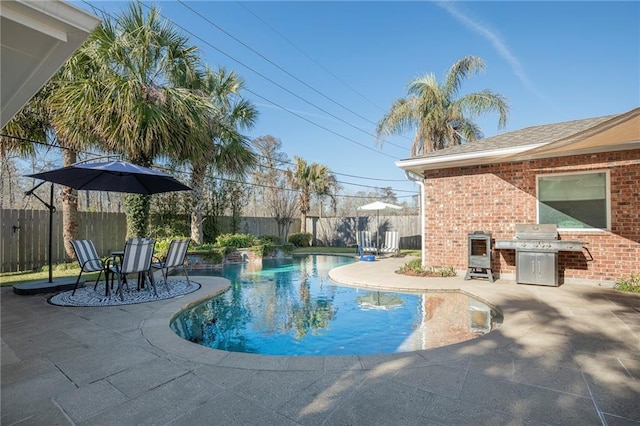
x=137, y=257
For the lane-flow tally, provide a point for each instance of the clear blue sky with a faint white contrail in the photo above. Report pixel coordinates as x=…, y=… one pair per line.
x=322, y=74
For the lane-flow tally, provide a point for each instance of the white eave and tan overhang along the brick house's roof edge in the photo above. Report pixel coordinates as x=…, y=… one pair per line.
x=620, y=133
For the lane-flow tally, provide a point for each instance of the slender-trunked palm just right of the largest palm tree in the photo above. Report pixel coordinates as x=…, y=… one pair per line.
x=229, y=151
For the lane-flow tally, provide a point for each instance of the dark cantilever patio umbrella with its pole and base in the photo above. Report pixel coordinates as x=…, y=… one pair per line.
x=112, y=176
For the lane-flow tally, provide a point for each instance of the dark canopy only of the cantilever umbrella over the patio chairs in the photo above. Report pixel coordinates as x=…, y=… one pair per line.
x=114, y=176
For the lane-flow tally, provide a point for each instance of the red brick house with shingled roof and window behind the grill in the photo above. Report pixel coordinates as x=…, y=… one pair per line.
x=582, y=175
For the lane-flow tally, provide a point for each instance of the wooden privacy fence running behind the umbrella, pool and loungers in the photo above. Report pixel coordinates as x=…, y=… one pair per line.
x=24, y=236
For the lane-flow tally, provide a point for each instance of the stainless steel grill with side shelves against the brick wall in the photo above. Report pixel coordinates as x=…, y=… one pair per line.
x=537, y=248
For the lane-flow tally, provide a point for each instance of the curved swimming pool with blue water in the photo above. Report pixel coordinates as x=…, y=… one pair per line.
x=290, y=307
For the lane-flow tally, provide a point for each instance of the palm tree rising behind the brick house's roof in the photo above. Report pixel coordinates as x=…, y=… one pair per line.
x=439, y=117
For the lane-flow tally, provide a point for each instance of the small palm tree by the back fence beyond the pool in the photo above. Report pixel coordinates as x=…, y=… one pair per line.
x=310, y=179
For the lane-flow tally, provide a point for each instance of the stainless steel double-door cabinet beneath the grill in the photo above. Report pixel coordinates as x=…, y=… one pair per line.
x=539, y=268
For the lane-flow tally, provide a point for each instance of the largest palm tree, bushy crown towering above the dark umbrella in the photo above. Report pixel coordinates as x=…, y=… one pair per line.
x=138, y=100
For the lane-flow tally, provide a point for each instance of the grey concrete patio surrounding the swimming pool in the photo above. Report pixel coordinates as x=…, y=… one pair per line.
x=566, y=355
